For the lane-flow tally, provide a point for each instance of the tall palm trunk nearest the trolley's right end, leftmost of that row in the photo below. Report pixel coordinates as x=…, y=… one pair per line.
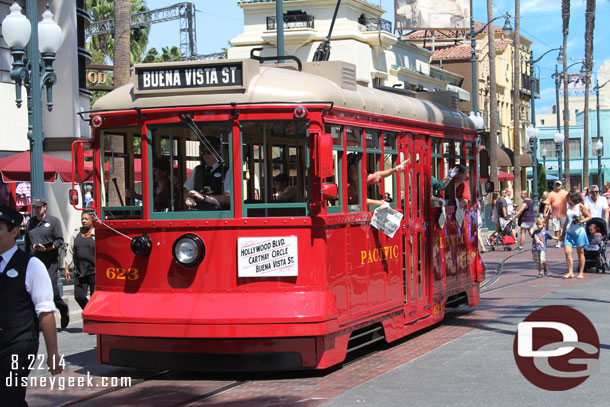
x=493, y=102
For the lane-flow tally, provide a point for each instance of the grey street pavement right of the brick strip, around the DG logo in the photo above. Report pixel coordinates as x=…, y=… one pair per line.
x=478, y=368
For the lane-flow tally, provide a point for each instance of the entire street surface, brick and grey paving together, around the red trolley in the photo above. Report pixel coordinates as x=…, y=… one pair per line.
x=466, y=360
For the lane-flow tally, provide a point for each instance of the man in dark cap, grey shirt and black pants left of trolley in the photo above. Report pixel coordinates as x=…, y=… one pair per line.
x=43, y=238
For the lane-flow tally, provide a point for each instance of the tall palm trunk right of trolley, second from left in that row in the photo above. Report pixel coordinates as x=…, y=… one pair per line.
x=516, y=102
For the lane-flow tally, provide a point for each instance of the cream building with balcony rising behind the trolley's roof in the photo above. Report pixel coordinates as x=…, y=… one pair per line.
x=360, y=36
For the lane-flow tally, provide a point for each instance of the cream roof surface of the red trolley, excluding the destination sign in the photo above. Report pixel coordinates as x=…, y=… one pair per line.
x=281, y=85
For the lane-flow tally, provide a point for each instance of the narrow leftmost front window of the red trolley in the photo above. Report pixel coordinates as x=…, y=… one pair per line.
x=121, y=179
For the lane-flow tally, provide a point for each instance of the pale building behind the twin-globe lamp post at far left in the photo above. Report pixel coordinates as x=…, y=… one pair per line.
x=62, y=125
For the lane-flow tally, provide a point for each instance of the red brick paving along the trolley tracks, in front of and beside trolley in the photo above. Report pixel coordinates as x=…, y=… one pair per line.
x=516, y=287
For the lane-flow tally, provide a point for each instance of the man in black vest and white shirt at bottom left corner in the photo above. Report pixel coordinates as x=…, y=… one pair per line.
x=26, y=301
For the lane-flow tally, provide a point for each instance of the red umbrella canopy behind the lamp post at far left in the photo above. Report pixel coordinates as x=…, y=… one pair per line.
x=16, y=168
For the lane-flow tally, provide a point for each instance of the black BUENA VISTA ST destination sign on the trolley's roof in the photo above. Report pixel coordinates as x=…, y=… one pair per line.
x=154, y=78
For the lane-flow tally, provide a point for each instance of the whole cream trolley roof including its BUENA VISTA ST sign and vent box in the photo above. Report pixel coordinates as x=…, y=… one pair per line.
x=331, y=81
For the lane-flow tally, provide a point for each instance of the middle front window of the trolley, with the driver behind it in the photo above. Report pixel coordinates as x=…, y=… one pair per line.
x=191, y=170
